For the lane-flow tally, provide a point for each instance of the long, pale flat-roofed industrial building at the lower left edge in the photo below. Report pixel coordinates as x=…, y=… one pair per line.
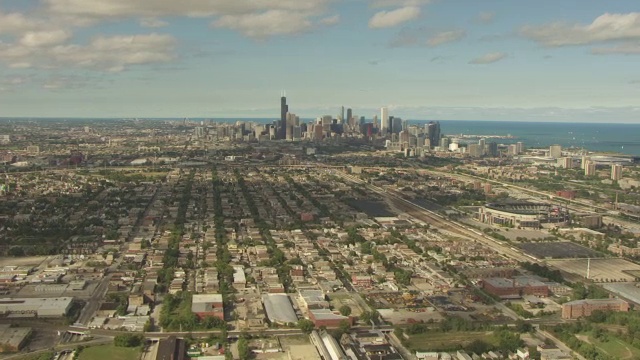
x=35, y=307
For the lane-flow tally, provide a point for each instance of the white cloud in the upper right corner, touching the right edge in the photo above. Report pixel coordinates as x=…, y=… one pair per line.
x=605, y=28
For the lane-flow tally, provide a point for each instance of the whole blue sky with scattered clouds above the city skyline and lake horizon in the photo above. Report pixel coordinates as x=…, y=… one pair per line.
x=547, y=60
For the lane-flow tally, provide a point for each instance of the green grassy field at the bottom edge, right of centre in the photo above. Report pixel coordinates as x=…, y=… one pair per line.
x=446, y=341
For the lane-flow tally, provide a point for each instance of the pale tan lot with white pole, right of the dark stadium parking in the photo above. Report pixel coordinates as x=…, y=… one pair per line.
x=602, y=270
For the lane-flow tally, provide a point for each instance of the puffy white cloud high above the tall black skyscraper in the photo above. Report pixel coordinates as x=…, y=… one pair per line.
x=266, y=24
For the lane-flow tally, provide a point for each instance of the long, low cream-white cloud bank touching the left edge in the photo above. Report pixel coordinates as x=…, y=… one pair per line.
x=113, y=53
